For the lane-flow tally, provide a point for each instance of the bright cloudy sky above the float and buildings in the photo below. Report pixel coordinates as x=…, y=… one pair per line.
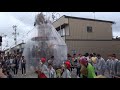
x=25, y=21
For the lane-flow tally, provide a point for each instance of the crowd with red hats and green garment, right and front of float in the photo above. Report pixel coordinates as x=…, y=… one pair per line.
x=87, y=66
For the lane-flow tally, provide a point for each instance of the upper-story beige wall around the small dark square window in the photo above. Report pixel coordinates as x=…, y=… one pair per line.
x=78, y=29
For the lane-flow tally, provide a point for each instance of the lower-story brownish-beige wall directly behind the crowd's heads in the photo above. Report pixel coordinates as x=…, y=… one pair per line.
x=102, y=47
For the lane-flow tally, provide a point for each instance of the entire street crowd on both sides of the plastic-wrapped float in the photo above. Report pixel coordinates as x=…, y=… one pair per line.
x=86, y=66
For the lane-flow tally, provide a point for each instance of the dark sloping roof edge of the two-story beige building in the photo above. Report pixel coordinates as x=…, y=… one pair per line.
x=86, y=19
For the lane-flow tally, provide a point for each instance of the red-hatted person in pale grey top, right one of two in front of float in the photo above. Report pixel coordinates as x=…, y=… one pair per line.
x=66, y=73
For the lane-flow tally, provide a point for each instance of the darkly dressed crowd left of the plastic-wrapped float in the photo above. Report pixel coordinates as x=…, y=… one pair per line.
x=11, y=64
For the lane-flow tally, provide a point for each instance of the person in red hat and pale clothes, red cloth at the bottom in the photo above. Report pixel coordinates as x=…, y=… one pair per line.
x=43, y=70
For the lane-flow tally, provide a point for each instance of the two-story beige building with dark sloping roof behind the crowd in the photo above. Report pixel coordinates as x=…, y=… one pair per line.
x=87, y=35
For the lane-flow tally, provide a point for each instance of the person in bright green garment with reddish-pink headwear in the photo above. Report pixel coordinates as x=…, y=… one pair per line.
x=87, y=70
